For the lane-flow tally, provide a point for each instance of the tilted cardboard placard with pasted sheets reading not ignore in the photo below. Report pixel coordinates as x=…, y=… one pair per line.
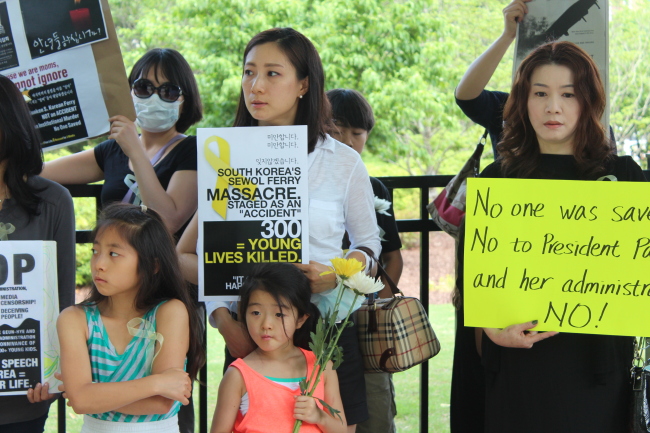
x=52, y=51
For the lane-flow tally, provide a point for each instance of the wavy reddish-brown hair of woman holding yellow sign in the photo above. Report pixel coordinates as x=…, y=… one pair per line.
x=592, y=149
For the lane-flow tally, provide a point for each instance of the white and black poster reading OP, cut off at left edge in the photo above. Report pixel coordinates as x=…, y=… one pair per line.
x=29, y=347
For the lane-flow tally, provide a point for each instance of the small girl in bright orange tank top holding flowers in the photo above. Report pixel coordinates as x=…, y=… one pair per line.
x=260, y=393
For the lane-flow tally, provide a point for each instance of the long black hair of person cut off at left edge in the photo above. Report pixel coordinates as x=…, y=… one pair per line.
x=20, y=147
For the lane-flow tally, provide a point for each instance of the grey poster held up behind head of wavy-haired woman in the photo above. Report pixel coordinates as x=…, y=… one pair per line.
x=583, y=22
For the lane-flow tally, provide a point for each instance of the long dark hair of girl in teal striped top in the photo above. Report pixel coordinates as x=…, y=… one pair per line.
x=158, y=268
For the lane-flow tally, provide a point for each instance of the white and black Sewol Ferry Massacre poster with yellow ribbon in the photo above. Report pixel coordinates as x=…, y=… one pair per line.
x=253, y=203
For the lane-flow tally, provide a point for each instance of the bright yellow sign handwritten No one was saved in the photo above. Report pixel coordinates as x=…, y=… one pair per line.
x=573, y=255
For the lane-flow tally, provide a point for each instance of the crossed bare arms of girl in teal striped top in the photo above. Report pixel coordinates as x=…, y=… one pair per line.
x=159, y=389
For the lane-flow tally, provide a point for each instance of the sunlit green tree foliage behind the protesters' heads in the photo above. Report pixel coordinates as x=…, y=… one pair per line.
x=406, y=57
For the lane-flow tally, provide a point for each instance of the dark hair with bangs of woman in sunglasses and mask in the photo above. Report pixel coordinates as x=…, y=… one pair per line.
x=175, y=68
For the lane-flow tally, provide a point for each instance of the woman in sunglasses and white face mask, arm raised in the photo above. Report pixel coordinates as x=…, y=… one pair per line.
x=158, y=167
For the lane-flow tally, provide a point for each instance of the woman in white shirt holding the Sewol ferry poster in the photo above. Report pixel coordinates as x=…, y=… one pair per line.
x=283, y=84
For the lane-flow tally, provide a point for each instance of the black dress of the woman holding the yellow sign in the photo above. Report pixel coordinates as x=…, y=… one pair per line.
x=572, y=382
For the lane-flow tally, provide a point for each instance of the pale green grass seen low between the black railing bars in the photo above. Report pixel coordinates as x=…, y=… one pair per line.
x=406, y=383
